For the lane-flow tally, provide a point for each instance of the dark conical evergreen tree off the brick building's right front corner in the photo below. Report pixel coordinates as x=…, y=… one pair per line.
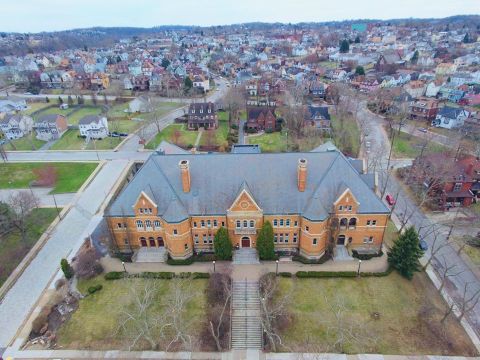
x=405, y=253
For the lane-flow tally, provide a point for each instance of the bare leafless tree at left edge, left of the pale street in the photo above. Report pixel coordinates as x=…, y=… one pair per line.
x=22, y=203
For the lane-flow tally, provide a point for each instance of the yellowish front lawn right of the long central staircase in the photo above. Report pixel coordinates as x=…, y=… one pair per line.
x=388, y=315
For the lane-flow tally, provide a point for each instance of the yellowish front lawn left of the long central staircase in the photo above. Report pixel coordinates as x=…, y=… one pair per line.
x=95, y=323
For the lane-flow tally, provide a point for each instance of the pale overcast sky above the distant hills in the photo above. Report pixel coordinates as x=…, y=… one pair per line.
x=49, y=15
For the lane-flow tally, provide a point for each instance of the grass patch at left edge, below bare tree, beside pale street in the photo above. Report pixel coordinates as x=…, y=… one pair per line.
x=13, y=249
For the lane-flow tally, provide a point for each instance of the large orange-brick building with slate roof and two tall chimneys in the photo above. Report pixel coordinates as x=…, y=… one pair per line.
x=179, y=201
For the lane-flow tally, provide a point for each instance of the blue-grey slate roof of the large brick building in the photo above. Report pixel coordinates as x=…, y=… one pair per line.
x=271, y=178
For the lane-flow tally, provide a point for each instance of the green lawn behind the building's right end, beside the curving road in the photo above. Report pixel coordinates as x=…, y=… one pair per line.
x=346, y=135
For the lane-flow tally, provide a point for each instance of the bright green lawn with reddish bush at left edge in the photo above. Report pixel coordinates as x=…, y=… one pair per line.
x=70, y=176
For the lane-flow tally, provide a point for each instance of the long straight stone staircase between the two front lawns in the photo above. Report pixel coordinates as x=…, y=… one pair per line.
x=246, y=330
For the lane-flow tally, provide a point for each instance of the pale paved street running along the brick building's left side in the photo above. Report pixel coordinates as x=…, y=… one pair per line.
x=67, y=236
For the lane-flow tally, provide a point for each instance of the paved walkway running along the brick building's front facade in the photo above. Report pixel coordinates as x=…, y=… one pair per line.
x=251, y=271
